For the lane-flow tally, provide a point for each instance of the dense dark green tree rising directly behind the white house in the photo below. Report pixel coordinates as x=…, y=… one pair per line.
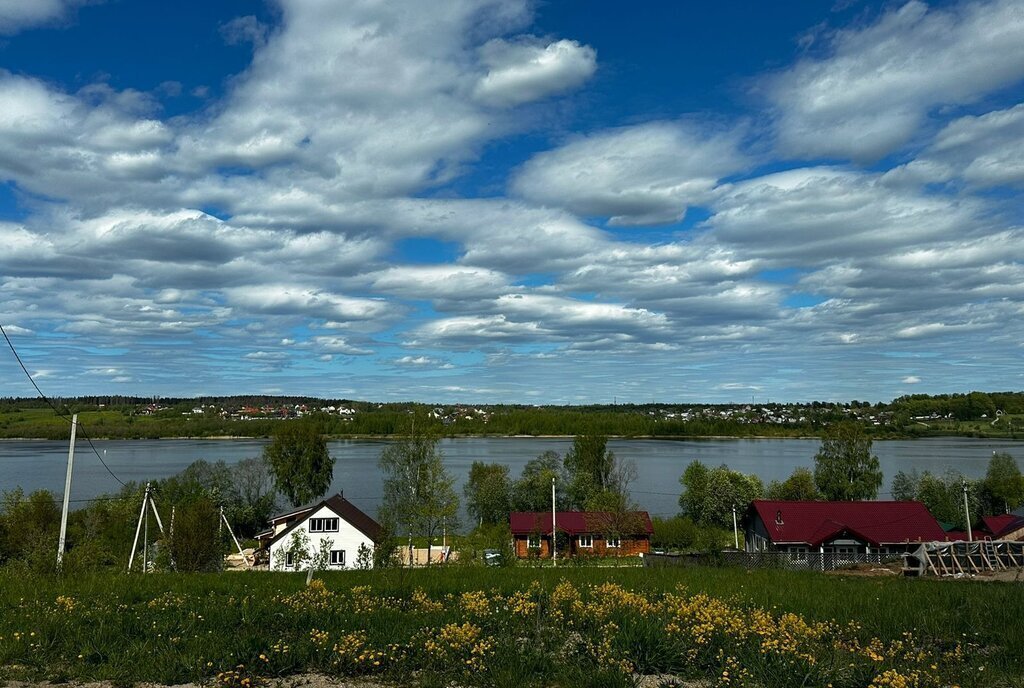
x=300, y=461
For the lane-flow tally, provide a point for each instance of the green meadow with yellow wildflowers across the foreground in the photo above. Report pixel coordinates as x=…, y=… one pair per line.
x=517, y=627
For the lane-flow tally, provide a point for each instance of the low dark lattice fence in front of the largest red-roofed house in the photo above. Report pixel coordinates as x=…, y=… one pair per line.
x=814, y=562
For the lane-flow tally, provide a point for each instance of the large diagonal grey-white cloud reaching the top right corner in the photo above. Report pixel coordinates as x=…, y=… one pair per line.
x=876, y=85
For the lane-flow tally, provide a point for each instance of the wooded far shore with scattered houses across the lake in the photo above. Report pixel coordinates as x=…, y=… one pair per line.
x=974, y=414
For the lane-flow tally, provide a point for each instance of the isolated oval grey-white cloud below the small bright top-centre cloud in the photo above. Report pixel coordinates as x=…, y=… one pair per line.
x=646, y=175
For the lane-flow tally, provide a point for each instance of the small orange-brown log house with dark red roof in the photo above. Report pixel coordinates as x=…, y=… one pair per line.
x=582, y=534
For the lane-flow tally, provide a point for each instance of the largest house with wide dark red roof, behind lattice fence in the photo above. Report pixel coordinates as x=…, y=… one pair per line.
x=843, y=529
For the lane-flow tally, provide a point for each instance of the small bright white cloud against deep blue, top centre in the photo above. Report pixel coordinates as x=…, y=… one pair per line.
x=525, y=71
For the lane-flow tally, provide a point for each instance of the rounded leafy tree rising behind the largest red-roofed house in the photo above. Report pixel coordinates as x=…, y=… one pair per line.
x=845, y=469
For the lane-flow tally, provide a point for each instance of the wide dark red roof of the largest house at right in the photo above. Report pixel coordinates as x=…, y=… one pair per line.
x=874, y=523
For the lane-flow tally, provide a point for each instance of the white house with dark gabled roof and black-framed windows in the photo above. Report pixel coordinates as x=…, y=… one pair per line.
x=334, y=527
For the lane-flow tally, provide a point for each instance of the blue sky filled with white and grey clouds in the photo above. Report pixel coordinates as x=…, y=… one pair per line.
x=505, y=201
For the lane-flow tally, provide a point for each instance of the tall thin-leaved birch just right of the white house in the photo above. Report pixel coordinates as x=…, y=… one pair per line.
x=418, y=491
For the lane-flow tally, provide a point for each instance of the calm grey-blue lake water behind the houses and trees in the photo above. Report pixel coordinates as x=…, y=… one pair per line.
x=41, y=465
